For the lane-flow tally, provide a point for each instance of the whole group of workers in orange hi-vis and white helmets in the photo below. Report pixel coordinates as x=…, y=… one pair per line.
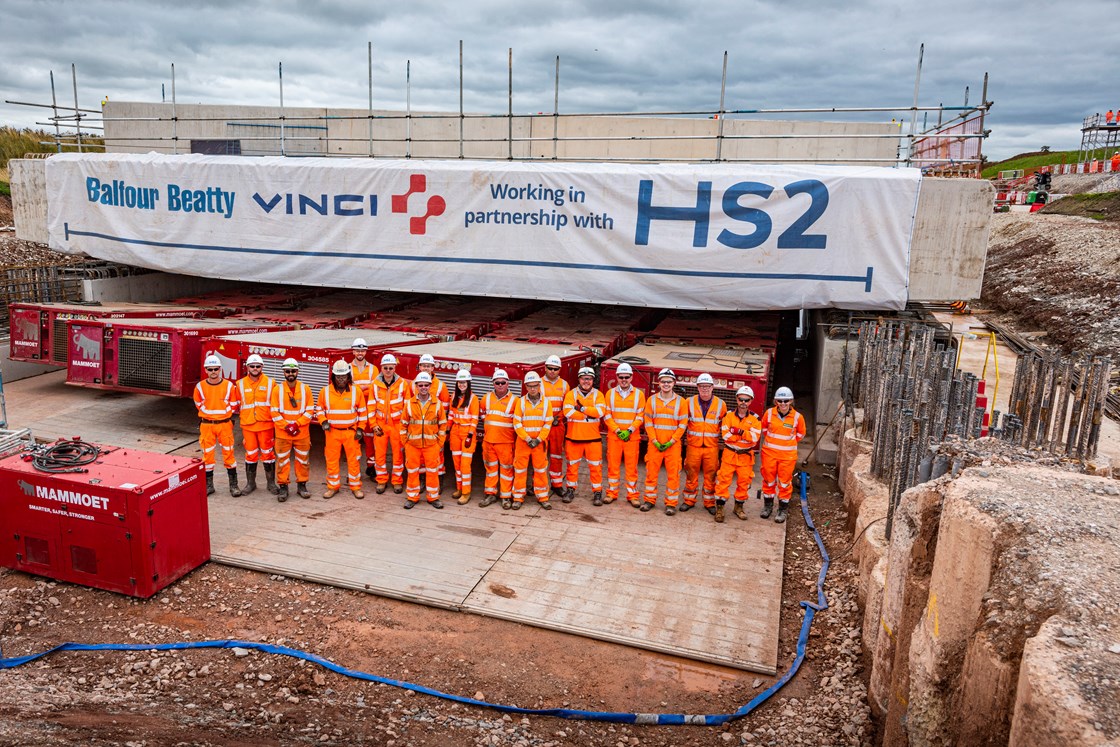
x=552, y=428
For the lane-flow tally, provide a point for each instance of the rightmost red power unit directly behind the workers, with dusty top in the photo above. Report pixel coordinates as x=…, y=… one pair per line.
x=730, y=367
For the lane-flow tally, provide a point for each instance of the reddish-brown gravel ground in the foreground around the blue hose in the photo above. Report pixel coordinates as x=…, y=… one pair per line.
x=228, y=698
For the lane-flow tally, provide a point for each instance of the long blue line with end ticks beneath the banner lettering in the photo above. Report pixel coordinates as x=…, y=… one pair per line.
x=866, y=279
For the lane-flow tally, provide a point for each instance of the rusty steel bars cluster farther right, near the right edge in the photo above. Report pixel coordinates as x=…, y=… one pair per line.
x=1057, y=405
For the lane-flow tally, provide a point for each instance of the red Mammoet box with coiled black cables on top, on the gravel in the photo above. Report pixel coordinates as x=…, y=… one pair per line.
x=135, y=522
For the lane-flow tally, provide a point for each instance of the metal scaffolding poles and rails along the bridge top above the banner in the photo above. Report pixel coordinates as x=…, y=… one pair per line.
x=927, y=150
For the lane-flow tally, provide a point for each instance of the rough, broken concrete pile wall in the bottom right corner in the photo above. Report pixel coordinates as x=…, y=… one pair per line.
x=992, y=615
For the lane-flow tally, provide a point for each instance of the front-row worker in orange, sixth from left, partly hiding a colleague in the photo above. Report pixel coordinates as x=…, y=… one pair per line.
x=424, y=431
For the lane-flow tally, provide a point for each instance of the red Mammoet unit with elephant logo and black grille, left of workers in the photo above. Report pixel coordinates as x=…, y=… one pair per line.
x=151, y=357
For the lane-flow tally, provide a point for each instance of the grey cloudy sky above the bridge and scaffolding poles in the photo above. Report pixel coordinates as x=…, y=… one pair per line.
x=1050, y=64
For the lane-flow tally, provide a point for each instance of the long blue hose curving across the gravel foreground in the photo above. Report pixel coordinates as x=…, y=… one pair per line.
x=712, y=720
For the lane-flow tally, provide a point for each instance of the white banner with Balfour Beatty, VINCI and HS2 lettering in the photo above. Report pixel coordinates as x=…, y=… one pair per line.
x=699, y=236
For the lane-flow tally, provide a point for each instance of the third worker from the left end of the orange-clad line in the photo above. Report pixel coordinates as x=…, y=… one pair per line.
x=293, y=410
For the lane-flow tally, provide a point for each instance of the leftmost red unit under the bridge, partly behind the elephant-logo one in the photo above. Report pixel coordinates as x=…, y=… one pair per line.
x=40, y=331
